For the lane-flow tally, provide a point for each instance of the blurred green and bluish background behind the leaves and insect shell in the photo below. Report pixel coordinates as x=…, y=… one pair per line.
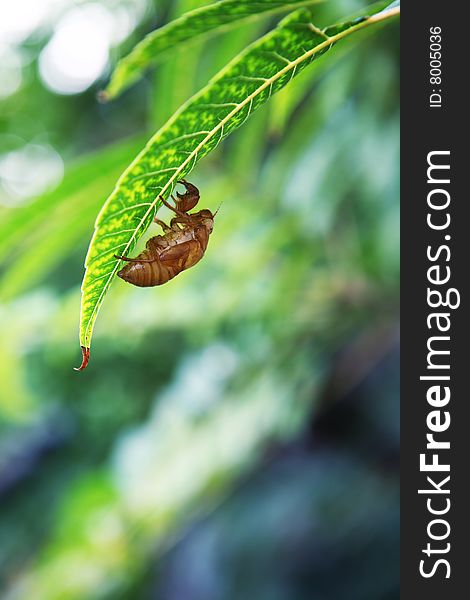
x=236, y=433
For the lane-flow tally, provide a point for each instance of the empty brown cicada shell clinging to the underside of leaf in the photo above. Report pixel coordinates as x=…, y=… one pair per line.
x=181, y=246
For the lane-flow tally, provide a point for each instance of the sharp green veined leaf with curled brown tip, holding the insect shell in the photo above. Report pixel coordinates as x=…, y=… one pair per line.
x=195, y=130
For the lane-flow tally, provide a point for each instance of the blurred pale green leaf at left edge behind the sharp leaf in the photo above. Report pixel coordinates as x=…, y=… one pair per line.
x=31, y=246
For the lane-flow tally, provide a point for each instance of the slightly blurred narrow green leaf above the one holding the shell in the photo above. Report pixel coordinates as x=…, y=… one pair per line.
x=190, y=27
